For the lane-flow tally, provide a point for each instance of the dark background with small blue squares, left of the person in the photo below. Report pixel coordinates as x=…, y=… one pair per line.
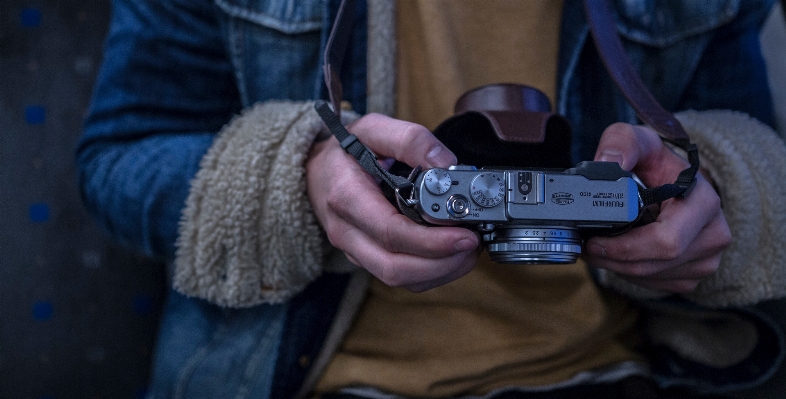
x=77, y=314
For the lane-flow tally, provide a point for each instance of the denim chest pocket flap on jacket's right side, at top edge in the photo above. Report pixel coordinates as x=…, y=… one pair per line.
x=661, y=25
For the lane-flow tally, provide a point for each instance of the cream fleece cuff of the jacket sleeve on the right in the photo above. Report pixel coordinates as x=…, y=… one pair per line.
x=747, y=161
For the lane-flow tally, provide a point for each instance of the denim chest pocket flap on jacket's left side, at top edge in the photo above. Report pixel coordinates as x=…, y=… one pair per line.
x=287, y=16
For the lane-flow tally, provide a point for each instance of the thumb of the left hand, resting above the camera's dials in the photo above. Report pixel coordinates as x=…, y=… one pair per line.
x=405, y=141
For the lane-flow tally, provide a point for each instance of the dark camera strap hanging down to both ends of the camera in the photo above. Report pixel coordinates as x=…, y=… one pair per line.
x=608, y=45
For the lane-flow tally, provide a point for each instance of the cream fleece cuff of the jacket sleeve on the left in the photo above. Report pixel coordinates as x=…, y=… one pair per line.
x=247, y=234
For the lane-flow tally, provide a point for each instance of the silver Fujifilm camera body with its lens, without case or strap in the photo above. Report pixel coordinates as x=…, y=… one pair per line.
x=530, y=216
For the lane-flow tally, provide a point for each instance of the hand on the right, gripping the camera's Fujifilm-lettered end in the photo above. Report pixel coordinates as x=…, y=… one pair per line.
x=684, y=244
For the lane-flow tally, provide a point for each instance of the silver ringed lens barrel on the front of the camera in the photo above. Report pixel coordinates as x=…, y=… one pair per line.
x=529, y=245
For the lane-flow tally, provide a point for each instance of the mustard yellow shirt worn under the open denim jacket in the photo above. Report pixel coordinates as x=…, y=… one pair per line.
x=500, y=325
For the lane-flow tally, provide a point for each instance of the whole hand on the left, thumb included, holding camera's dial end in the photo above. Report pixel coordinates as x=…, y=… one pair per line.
x=372, y=233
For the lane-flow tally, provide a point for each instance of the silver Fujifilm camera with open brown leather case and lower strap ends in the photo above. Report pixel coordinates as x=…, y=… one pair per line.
x=529, y=206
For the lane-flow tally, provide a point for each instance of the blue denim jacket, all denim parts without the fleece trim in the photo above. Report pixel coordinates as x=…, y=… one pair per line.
x=176, y=71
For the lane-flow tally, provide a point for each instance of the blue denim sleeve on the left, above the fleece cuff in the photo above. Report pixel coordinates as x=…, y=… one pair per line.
x=165, y=88
